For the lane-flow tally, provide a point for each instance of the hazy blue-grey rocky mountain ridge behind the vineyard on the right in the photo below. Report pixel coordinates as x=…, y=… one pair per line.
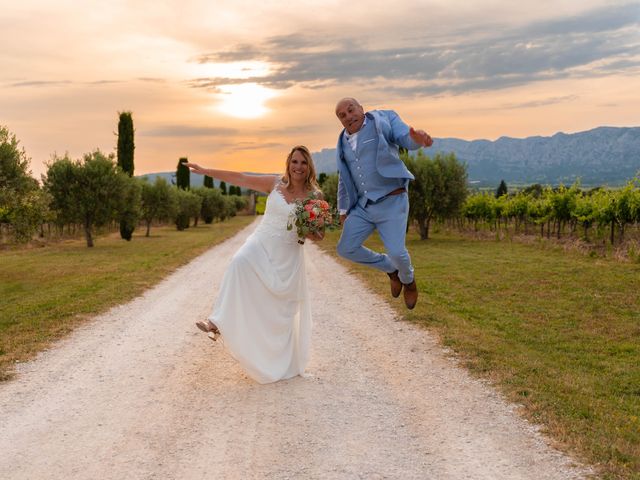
x=604, y=155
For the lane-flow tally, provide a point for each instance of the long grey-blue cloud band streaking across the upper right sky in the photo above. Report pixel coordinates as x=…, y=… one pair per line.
x=600, y=41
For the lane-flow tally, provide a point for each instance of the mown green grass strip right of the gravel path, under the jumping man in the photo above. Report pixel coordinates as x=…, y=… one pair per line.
x=557, y=332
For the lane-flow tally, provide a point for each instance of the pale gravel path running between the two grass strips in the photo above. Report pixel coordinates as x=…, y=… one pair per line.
x=140, y=393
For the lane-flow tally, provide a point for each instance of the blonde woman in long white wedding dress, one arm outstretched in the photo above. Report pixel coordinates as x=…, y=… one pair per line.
x=262, y=310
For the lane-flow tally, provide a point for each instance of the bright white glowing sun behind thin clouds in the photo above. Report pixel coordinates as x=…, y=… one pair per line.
x=245, y=100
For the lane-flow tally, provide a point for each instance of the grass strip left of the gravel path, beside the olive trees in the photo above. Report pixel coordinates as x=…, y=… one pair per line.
x=45, y=292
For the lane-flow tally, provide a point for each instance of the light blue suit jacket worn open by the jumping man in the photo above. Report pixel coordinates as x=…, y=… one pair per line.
x=392, y=132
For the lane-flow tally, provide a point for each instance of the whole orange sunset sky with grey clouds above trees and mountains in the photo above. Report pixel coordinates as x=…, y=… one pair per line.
x=235, y=84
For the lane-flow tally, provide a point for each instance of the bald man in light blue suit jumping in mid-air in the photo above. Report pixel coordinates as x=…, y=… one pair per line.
x=372, y=190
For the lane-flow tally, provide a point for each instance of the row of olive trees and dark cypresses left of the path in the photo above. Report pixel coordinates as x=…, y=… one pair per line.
x=98, y=190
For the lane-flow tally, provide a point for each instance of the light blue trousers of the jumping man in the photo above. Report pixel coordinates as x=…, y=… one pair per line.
x=389, y=217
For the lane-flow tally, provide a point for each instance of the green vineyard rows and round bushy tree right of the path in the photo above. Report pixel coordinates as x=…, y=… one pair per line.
x=440, y=193
